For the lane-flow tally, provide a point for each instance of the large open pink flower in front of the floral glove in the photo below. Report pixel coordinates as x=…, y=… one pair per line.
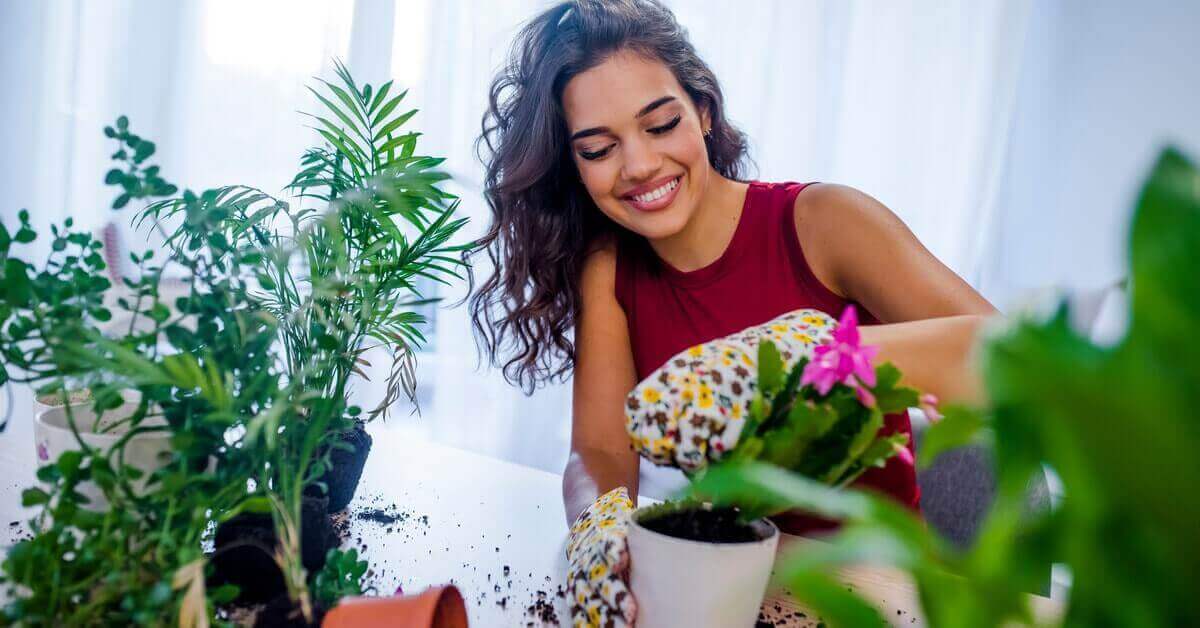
x=844, y=362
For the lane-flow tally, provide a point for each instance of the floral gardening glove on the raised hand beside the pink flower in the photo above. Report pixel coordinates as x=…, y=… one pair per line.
x=693, y=409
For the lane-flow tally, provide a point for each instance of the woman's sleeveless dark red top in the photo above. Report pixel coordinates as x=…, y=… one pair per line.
x=761, y=276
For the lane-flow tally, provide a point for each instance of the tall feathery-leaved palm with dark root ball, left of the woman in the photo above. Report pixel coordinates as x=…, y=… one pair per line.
x=346, y=282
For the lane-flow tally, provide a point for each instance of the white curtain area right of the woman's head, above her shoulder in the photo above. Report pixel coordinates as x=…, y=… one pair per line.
x=909, y=101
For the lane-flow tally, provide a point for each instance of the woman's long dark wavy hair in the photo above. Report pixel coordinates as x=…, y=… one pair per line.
x=544, y=222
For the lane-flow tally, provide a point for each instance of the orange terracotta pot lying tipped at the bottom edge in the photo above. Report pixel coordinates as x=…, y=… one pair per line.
x=436, y=608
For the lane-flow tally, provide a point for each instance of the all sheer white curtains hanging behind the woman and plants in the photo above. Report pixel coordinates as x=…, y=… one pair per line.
x=908, y=101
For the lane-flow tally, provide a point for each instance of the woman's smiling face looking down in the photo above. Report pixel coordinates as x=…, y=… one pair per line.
x=638, y=141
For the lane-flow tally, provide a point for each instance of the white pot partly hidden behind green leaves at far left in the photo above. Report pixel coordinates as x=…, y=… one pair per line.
x=147, y=452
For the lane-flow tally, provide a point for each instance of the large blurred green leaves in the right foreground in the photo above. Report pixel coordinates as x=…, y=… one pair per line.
x=1118, y=426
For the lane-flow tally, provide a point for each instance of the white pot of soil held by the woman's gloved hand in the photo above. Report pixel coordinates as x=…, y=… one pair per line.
x=699, y=585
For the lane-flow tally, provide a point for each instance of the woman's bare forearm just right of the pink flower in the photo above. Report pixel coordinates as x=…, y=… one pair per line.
x=937, y=355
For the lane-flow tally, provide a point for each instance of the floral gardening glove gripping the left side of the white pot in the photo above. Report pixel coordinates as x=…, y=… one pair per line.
x=598, y=564
